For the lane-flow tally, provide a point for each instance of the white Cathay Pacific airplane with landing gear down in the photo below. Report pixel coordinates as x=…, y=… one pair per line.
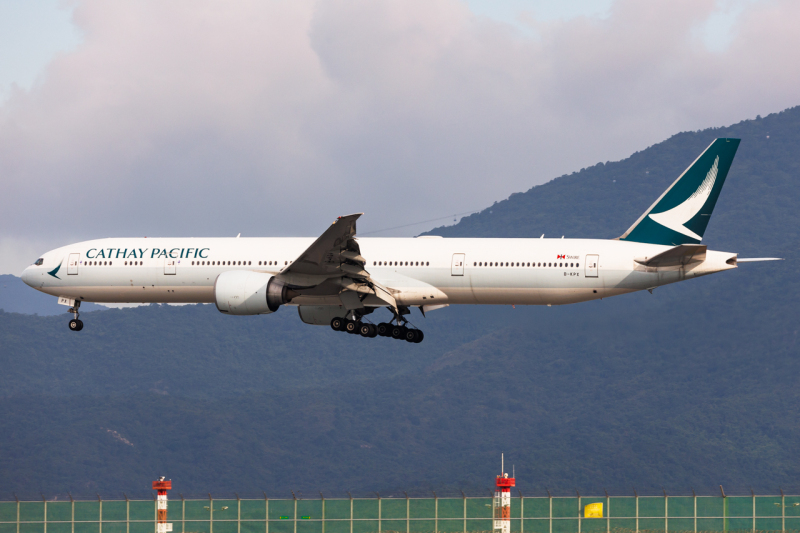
x=339, y=279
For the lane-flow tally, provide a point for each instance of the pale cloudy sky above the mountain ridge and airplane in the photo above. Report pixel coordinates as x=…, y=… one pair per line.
x=196, y=118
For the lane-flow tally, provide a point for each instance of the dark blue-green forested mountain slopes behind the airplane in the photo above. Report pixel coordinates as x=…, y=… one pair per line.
x=690, y=387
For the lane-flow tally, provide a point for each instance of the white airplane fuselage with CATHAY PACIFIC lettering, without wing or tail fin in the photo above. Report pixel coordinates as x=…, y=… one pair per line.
x=423, y=271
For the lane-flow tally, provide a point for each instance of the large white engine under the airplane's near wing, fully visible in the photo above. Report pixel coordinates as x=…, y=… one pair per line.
x=241, y=292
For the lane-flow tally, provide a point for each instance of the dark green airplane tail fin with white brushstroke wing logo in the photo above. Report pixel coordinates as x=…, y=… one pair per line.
x=681, y=214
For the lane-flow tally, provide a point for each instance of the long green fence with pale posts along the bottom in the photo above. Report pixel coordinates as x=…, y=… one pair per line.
x=408, y=515
